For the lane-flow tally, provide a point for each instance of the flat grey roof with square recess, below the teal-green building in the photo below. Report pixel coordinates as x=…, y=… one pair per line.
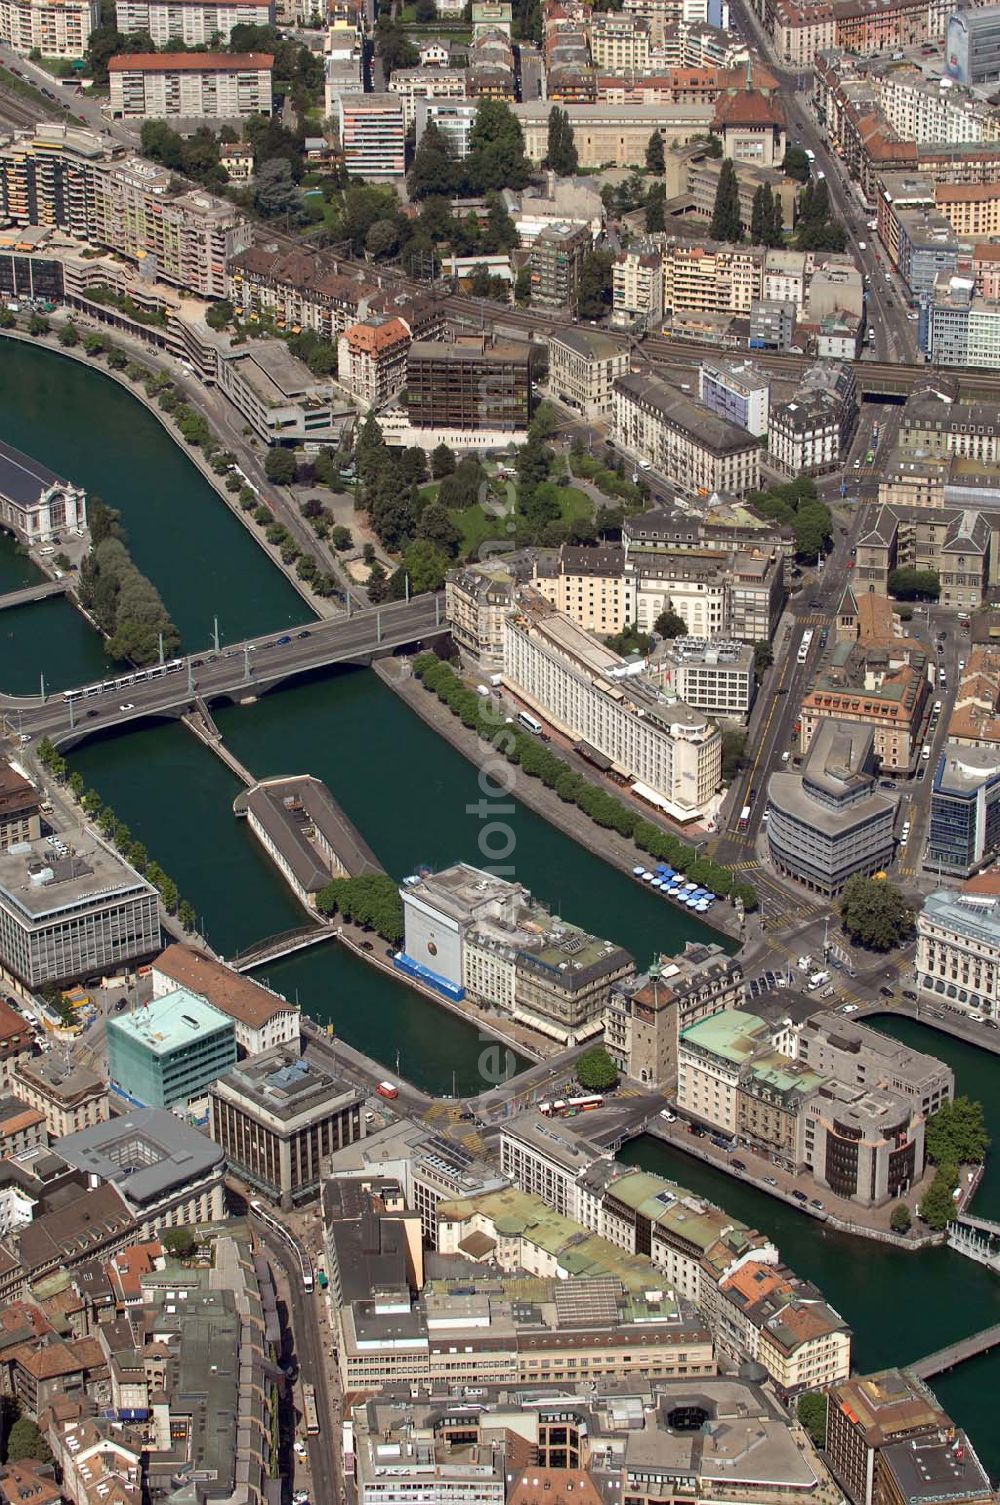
x=145, y=1155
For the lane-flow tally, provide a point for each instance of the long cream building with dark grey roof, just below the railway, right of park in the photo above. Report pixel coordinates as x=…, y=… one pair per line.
x=683, y=440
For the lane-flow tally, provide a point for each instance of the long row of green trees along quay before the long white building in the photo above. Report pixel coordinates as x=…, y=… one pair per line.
x=540, y=762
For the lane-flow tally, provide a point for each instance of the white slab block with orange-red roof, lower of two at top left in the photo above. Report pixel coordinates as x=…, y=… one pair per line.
x=191, y=85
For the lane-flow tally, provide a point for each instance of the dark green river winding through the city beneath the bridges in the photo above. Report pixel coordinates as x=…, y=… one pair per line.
x=416, y=801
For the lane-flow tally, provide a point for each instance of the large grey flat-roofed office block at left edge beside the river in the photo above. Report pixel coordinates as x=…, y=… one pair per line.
x=73, y=914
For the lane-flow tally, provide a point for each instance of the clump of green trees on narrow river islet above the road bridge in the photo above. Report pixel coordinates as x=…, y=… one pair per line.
x=123, y=601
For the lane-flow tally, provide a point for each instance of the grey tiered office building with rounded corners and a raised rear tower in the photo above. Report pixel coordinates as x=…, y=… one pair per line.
x=831, y=821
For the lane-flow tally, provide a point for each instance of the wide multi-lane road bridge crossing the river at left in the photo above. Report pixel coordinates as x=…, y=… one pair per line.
x=239, y=672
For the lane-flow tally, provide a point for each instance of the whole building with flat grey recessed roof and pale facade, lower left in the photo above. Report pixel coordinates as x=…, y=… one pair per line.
x=166, y=1173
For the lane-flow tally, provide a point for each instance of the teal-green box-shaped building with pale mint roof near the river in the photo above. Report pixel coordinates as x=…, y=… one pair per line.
x=169, y=1051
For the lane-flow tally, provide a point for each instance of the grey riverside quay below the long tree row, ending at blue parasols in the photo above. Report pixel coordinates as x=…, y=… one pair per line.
x=531, y=792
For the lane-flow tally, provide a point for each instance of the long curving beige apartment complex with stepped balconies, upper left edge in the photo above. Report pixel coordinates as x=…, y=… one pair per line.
x=72, y=180
